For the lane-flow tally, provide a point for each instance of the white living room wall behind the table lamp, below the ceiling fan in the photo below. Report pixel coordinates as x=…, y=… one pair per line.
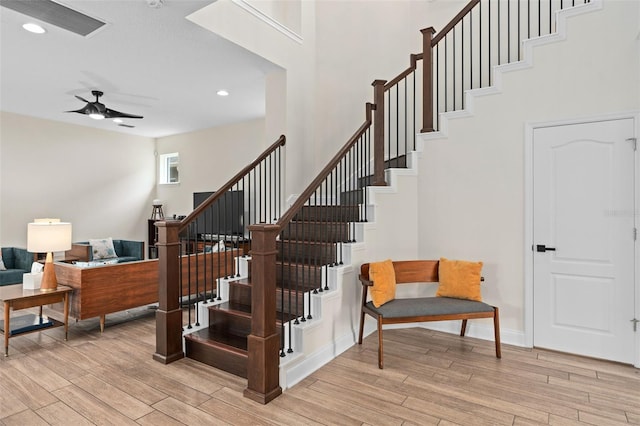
x=100, y=181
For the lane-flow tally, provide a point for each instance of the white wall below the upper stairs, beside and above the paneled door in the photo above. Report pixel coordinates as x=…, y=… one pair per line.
x=472, y=182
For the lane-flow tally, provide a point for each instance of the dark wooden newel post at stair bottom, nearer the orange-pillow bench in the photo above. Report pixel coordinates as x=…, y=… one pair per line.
x=263, y=369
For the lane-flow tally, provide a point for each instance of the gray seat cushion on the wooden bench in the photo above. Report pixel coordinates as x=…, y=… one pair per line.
x=423, y=306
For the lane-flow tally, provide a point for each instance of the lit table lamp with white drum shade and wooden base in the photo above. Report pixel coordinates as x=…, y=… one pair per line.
x=47, y=236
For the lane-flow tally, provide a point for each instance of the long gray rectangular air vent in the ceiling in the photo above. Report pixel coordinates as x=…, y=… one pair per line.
x=55, y=14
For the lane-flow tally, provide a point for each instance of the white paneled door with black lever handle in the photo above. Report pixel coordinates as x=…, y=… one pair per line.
x=584, y=239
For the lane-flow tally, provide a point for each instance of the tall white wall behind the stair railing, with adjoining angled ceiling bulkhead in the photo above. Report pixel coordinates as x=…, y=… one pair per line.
x=345, y=46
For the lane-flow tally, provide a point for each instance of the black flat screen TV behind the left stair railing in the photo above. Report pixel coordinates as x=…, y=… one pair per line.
x=224, y=217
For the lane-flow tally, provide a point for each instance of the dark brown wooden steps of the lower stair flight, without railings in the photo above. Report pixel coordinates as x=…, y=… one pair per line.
x=309, y=244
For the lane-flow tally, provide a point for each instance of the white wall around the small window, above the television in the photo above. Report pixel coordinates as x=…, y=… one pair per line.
x=208, y=159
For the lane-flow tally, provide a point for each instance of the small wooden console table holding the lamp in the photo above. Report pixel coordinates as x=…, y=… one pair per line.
x=15, y=297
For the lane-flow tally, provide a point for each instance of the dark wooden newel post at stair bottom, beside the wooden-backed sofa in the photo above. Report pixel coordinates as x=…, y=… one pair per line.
x=169, y=313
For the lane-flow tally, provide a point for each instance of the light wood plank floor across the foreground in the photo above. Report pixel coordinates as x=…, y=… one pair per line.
x=429, y=378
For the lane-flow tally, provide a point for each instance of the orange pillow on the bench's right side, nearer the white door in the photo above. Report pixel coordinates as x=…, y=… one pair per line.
x=459, y=279
